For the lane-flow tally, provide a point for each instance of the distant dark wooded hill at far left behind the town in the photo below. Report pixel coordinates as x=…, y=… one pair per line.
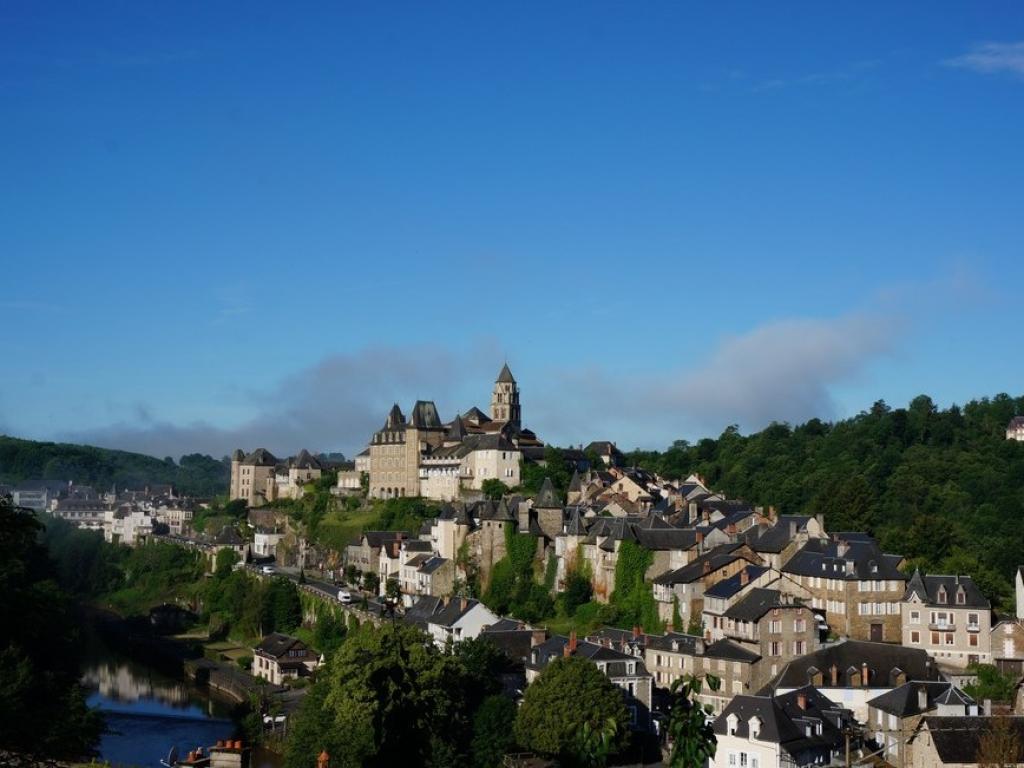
x=194, y=475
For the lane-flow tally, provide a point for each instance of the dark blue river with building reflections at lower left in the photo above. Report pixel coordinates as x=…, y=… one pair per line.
x=149, y=711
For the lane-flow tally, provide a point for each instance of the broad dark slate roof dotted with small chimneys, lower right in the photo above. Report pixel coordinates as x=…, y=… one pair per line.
x=884, y=662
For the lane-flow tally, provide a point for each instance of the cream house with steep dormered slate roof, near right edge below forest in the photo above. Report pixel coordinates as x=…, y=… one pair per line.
x=950, y=618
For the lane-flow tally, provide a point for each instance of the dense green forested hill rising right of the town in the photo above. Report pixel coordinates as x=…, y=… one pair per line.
x=943, y=488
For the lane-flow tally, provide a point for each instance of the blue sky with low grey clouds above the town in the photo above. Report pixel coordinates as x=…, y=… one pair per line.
x=241, y=225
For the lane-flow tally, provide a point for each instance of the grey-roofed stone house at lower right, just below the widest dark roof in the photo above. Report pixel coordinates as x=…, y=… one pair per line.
x=894, y=717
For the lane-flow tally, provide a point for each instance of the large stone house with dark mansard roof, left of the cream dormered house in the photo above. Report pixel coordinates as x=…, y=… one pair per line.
x=860, y=588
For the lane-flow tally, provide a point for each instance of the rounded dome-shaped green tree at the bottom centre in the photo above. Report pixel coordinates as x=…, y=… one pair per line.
x=570, y=694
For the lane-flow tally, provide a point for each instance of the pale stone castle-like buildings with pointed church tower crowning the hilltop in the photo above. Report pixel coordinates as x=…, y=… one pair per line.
x=422, y=456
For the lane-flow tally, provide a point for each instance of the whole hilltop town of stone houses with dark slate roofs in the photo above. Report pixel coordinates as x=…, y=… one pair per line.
x=822, y=644
